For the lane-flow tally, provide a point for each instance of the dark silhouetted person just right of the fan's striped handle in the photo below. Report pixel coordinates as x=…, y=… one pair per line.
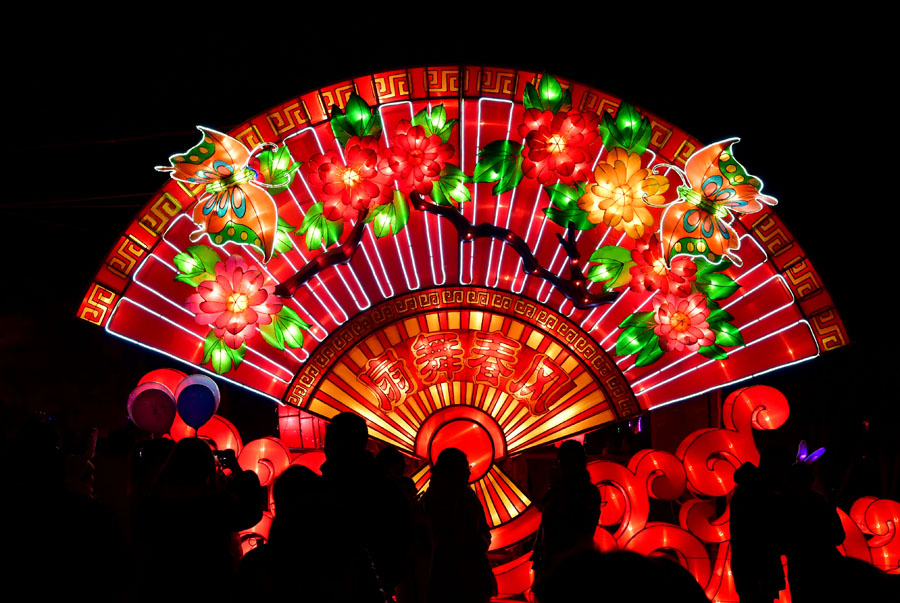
x=570, y=510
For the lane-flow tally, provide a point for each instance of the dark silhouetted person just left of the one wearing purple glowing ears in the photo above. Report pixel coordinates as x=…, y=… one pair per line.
x=756, y=531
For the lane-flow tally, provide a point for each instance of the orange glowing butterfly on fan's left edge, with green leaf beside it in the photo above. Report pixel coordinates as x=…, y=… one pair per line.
x=235, y=205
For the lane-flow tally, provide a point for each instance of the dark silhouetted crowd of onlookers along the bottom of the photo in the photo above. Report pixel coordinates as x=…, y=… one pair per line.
x=359, y=533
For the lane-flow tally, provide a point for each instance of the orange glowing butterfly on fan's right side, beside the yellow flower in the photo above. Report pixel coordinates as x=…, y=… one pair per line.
x=698, y=222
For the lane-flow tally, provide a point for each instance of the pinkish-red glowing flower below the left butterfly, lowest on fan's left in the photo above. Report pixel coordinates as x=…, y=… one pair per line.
x=235, y=302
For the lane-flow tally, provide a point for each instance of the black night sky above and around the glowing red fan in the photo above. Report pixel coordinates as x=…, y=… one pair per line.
x=94, y=111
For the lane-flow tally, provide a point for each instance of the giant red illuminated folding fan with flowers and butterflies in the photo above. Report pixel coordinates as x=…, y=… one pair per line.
x=487, y=257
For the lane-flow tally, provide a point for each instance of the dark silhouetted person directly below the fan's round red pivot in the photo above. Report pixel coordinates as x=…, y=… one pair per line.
x=460, y=537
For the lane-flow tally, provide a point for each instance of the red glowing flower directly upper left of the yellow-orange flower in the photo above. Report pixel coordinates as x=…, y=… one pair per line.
x=556, y=145
